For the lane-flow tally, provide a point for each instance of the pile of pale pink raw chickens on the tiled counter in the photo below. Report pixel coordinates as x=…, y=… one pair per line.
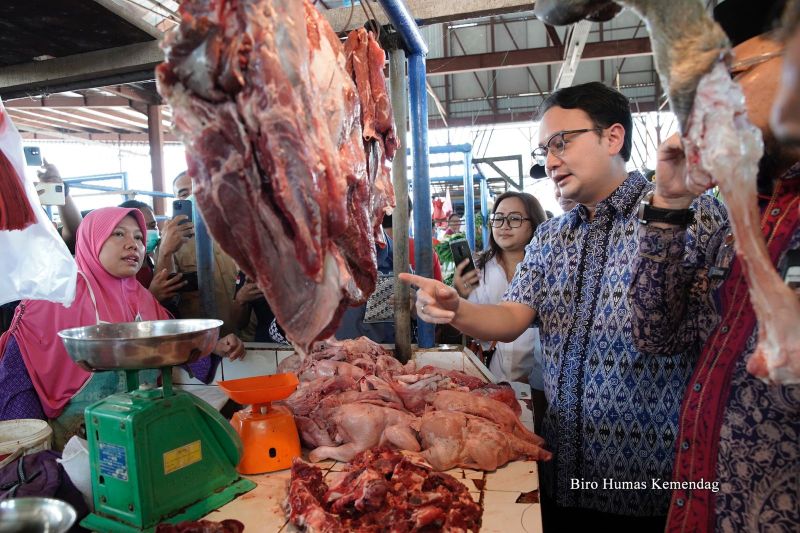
x=354, y=395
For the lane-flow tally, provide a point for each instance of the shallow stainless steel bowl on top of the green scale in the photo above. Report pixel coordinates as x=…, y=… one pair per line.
x=136, y=345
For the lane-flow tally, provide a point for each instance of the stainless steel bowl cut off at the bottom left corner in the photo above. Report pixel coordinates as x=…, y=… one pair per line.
x=36, y=515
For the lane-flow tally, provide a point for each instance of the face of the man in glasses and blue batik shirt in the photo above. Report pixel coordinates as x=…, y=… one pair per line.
x=582, y=172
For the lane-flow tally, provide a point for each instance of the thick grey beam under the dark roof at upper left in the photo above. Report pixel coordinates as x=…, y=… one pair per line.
x=54, y=75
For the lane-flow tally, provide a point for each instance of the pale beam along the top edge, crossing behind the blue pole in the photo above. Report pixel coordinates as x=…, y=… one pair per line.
x=427, y=12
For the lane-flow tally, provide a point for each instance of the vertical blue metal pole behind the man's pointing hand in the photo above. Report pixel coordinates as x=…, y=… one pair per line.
x=423, y=251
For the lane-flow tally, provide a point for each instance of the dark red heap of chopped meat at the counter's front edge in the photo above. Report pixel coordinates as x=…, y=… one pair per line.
x=382, y=490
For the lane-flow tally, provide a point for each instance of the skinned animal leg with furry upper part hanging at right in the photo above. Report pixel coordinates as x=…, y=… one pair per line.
x=722, y=148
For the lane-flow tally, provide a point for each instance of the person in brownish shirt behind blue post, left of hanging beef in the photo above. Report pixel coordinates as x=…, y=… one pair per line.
x=184, y=260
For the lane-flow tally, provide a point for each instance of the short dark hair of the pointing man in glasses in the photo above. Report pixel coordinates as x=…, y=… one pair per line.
x=604, y=105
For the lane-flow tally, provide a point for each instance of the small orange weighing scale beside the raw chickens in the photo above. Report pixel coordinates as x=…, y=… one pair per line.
x=268, y=432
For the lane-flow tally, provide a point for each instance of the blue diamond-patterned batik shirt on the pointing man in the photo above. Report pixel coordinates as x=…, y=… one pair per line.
x=613, y=412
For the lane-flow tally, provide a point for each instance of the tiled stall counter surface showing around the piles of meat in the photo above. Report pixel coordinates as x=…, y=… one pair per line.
x=509, y=495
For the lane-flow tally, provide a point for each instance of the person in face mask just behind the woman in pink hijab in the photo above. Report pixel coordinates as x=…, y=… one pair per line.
x=160, y=284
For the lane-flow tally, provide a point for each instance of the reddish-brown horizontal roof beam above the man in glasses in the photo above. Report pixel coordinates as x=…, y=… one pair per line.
x=535, y=56
